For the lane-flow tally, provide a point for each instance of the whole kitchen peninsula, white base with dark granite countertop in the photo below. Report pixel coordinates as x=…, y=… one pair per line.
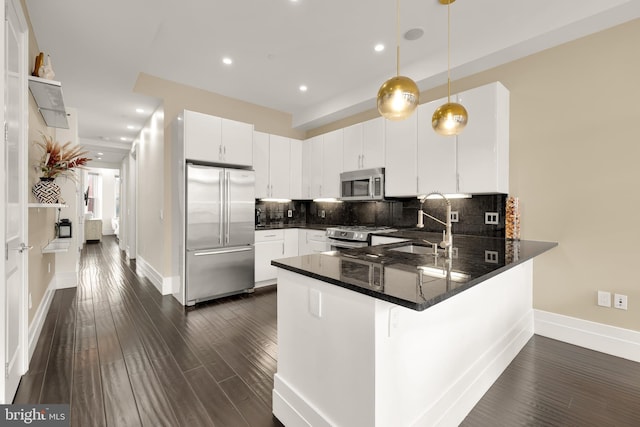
x=393, y=335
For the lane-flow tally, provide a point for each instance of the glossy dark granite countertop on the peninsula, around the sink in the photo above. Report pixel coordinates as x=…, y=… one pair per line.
x=416, y=281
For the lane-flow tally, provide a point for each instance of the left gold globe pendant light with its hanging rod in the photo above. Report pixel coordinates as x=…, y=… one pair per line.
x=398, y=97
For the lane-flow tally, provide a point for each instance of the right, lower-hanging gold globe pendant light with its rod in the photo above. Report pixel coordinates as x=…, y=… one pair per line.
x=450, y=118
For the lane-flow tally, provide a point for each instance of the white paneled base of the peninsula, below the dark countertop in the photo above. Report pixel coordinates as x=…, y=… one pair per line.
x=347, y=359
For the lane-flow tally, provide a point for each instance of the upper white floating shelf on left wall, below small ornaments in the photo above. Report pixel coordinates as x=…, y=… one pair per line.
x=48, y=96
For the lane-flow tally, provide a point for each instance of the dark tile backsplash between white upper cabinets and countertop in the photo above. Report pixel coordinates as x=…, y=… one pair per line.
x=395, y=213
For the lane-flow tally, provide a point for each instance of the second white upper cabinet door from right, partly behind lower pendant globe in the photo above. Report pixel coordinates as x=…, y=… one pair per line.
x=437, y=169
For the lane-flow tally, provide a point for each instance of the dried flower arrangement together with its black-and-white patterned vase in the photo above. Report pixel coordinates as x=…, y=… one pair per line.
x=57, y=160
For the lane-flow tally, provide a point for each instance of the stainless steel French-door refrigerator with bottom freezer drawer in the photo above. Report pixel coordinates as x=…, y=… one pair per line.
x=220, y=206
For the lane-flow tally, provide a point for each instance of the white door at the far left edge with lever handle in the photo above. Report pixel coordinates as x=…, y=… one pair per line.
x=14, y=198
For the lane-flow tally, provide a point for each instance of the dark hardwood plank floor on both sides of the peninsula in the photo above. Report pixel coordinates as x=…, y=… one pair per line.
x=122, y=354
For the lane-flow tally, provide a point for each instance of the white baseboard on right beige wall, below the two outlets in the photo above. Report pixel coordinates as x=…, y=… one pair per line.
x=606, y=339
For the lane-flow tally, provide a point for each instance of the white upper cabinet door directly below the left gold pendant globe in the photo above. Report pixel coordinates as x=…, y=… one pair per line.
x=401, y=147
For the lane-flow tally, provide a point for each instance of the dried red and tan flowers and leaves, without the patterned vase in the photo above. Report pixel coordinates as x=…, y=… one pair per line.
x=60, y=159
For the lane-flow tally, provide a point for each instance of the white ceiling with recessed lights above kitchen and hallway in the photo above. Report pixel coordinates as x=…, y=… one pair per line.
x=98, y=48
